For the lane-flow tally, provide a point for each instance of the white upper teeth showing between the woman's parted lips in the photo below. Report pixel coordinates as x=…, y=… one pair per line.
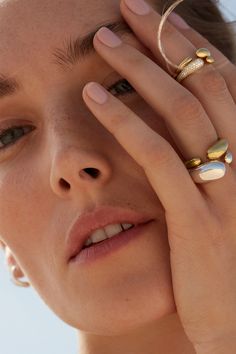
x=108, y=232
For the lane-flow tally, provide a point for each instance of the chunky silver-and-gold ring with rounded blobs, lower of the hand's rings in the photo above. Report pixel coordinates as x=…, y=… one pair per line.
x=213, y=169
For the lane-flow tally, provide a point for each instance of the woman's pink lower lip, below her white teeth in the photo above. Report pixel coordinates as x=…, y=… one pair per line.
x=108, y=246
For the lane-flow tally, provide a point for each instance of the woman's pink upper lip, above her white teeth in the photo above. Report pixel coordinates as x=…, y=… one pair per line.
x=99, y=218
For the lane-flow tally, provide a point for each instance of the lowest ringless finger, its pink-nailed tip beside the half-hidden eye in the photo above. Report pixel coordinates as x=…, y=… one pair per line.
x=165, y=171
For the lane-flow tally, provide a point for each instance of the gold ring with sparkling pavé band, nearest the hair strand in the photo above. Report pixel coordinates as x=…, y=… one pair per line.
x=188, y=66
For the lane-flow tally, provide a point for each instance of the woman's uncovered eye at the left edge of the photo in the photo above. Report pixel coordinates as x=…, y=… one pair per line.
x=7, y=136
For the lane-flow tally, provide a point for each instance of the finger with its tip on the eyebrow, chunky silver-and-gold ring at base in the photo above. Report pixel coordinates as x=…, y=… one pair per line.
x=186, y=119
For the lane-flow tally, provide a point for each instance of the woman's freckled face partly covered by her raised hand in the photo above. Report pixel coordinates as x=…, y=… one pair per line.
x=42, y=187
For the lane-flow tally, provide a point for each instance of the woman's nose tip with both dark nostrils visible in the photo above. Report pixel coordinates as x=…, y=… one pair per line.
x=79, y=170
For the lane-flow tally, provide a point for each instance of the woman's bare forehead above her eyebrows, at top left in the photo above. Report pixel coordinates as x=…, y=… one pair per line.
x=30, y=29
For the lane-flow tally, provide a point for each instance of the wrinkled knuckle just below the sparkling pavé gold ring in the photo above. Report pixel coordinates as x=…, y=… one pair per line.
x=213, y=82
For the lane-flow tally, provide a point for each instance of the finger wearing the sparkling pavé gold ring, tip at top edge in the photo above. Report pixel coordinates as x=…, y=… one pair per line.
x=207, y=84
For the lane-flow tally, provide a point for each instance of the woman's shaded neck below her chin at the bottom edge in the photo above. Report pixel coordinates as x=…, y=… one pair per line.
x=164, y=336
